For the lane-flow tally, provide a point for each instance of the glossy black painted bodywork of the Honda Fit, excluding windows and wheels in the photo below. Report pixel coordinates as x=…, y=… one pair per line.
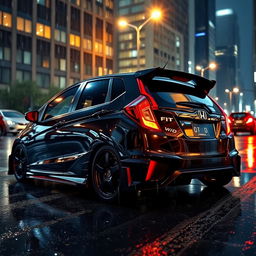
x=61, y=148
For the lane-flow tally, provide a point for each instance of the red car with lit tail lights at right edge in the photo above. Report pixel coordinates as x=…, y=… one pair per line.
x=242, y=122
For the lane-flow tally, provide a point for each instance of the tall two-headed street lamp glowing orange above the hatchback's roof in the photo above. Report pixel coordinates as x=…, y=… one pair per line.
x=155, y=15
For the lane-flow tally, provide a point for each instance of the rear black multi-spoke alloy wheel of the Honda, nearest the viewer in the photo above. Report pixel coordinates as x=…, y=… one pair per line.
x=105, y=174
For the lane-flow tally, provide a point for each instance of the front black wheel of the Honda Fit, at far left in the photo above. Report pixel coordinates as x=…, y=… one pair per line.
x=20, y=163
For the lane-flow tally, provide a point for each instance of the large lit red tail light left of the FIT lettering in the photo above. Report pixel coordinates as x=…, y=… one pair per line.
x=140, y=109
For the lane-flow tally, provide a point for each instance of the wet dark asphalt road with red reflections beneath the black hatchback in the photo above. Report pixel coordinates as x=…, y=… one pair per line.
x=40, y=218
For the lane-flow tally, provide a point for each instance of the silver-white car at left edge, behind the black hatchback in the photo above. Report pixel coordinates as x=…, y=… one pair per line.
x=14, y=121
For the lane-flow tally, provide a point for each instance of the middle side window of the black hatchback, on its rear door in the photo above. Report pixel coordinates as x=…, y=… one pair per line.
x=93, y=94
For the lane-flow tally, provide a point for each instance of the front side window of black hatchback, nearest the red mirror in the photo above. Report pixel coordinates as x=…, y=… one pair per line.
x=60, y=105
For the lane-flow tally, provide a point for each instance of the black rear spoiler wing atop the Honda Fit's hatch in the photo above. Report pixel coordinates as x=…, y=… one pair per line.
x=201, y=85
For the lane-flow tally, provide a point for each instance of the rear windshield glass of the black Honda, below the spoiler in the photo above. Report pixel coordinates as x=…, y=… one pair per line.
x=169, y=96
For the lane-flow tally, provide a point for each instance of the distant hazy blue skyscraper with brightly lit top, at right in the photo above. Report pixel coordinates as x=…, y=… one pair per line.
x=227, y=50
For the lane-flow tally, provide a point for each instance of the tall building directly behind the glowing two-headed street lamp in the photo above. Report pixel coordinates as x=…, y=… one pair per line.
x=163, y=42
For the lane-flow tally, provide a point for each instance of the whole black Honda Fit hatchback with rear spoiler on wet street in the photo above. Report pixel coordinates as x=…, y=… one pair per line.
x=147, y=129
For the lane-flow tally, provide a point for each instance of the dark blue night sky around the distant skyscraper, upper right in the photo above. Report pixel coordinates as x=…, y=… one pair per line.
x=244, y=11
